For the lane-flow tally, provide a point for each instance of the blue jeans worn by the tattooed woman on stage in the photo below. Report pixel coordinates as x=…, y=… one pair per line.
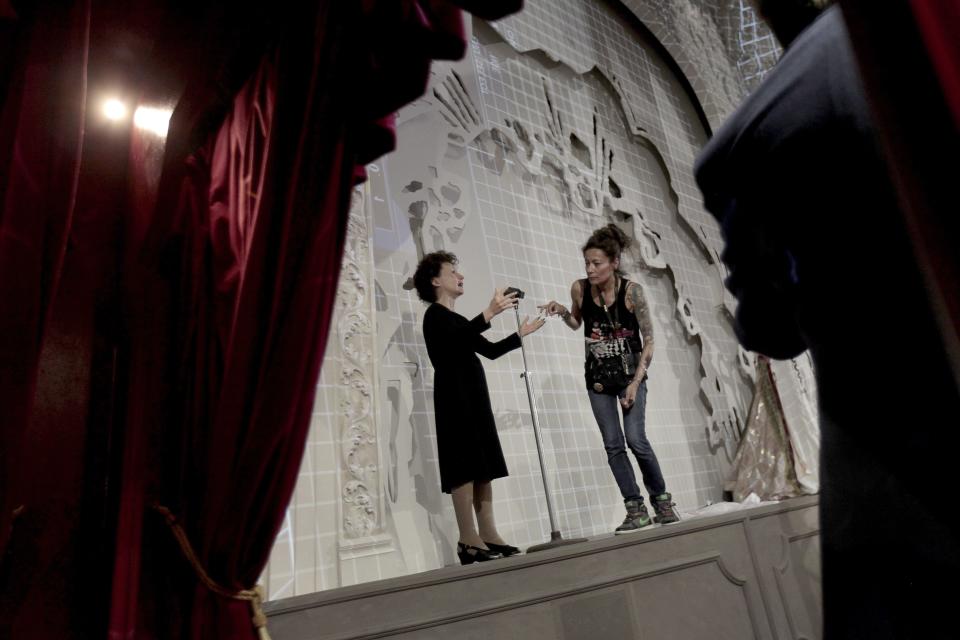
x=634, y=428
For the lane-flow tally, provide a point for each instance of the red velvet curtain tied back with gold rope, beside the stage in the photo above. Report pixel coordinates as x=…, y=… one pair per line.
x=233, y=294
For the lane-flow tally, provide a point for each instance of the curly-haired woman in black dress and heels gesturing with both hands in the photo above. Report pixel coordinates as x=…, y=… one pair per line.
x=468, y=447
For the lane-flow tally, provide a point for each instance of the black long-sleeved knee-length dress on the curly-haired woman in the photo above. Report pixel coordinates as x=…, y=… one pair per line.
x=468, y=446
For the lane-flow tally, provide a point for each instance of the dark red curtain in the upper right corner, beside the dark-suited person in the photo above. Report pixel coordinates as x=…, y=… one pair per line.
x=914, y=90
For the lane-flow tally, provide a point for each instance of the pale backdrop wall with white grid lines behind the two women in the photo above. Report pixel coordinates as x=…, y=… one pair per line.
x=488, y=153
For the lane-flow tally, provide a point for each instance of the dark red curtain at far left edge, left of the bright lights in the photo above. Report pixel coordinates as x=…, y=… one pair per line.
x=43, y=55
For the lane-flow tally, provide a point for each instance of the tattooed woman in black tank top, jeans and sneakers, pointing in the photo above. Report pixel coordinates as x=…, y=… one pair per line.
x=616, y=325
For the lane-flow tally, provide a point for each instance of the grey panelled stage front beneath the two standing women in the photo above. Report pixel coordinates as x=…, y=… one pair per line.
x=752, y=573
